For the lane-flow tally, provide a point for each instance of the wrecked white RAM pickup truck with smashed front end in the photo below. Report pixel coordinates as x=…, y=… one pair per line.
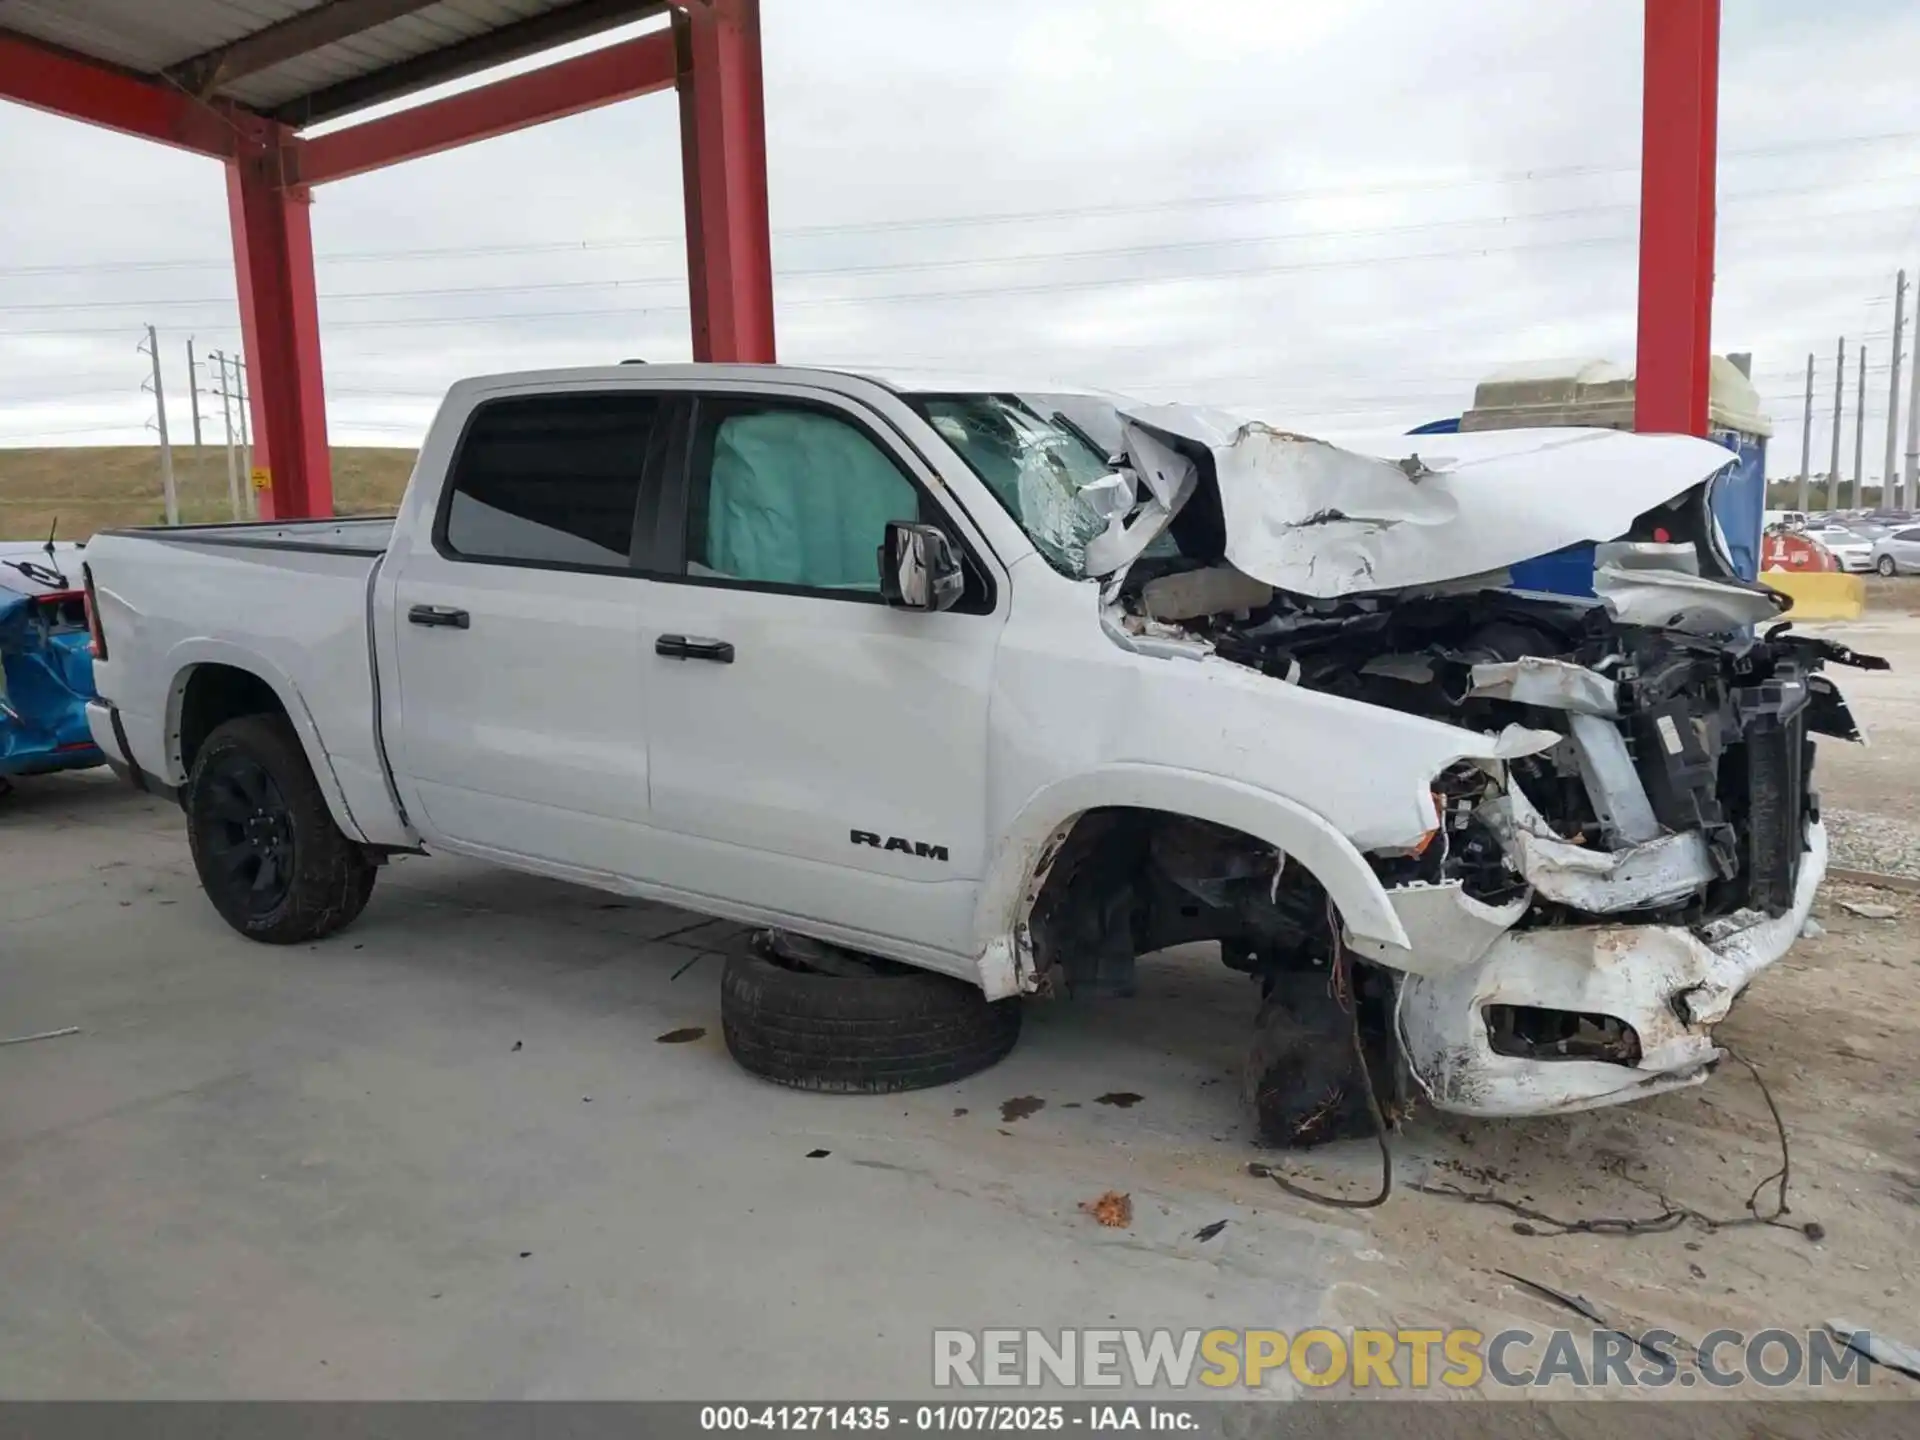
x=971, y=694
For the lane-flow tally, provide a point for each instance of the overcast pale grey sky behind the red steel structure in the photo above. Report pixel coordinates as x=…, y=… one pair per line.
x=1337, y=216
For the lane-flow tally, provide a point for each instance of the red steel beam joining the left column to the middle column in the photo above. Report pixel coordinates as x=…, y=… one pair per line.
x=569, y=87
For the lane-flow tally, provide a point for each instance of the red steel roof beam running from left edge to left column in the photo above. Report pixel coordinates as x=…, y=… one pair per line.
x=59, y=82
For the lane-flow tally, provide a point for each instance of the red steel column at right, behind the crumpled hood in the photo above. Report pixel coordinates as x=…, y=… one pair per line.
x=1677, y=168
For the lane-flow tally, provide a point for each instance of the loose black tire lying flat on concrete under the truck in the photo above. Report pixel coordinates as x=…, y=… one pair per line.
x=894, y=1030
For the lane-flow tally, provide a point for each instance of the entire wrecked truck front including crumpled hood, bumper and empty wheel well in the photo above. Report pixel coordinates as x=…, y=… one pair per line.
x=1581, y=917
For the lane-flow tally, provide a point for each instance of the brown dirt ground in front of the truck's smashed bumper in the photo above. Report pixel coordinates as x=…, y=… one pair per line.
x=1835, y=1032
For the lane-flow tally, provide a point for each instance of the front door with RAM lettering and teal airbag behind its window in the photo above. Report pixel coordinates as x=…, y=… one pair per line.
x=811, y=750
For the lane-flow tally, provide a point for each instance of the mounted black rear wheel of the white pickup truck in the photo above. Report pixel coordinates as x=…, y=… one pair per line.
x=268, y=852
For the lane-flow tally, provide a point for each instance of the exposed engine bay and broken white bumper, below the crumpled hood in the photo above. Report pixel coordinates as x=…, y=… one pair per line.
x=1583, y=917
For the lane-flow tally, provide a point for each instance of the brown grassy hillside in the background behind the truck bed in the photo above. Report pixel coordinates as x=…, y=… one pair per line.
x=89, y=489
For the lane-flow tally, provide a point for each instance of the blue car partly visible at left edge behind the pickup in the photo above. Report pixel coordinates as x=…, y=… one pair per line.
x=47, y=665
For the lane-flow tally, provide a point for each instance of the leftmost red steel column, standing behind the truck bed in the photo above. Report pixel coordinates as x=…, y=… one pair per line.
x=279, y=324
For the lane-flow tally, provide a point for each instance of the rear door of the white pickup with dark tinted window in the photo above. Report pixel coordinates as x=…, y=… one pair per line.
x=523, y=694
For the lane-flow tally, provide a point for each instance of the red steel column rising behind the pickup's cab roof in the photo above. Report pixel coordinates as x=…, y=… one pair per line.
x=723, y=164
